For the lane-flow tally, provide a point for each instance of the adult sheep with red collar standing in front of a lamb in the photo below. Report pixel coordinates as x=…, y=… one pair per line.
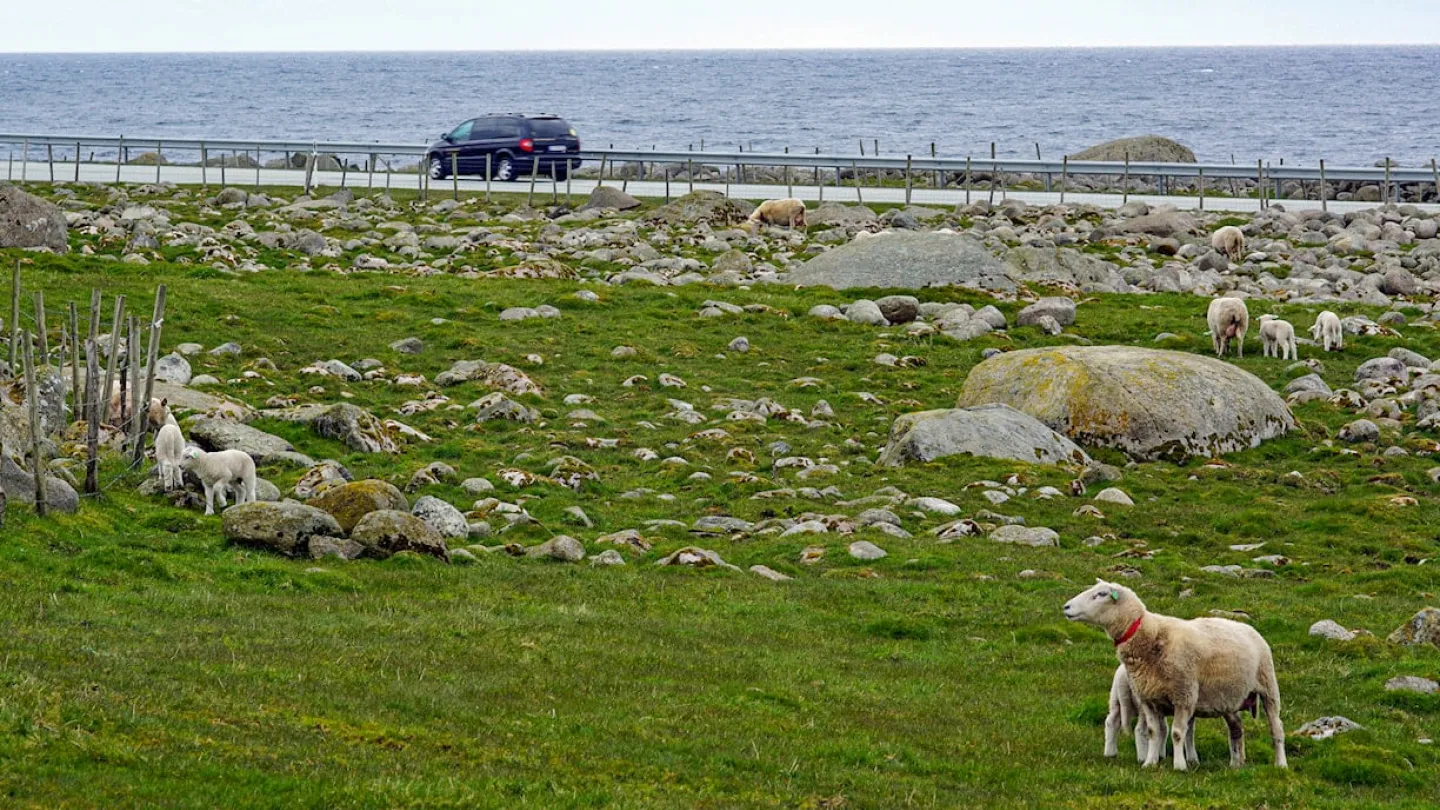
x=1196, y=668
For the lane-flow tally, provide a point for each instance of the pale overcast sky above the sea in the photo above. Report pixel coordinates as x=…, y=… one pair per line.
x=630, y=25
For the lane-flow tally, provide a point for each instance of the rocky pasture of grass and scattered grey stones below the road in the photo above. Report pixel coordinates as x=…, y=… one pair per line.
x=879, y=452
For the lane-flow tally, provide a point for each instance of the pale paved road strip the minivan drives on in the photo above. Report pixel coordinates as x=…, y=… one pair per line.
x=194, y=177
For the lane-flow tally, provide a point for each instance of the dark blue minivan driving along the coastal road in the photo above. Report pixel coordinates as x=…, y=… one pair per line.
x=515, y=143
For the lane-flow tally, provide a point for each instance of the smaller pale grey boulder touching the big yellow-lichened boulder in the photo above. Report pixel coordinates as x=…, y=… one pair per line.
x=994, y=432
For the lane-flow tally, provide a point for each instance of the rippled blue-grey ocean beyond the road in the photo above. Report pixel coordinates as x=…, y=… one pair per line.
x=1349, y=106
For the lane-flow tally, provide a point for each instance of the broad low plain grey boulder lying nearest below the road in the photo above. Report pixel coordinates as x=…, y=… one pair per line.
x=908, y=260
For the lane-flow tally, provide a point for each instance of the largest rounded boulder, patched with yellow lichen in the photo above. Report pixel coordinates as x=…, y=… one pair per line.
x=1147, y=403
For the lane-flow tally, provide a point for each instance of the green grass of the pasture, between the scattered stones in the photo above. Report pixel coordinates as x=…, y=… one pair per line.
x=148, y=664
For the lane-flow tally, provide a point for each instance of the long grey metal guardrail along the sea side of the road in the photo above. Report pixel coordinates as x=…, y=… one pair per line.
x=833, y=162
